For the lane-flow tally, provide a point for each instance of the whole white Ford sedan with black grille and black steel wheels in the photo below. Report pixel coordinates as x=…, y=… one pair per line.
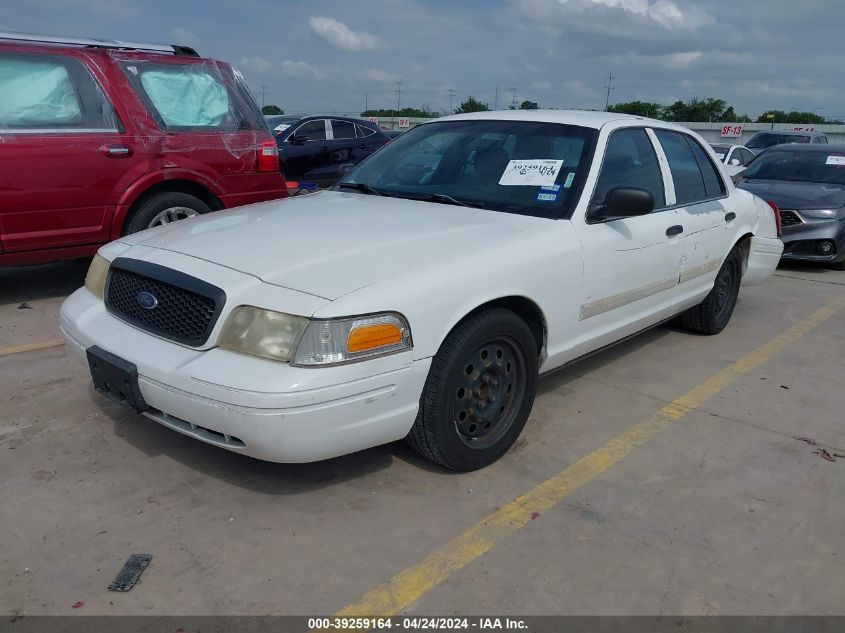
x=423, y=295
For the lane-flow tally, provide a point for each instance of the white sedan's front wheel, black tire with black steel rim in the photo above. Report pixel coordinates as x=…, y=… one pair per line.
x=479, y=392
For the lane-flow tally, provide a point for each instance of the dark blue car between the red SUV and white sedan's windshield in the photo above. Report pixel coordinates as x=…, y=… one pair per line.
x=314, y=149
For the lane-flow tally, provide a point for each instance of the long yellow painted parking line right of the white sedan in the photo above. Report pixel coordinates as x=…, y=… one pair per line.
x=408, y=586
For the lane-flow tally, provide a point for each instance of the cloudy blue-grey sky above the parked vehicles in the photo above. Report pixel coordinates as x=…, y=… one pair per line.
x=326, y=55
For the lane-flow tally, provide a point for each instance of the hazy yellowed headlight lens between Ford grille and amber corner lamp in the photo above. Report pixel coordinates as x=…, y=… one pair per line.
x=262, y=333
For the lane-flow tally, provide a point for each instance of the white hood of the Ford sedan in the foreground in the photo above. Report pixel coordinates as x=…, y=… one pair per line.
x=331, y=243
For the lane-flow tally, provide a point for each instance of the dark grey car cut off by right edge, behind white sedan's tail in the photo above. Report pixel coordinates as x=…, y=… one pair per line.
x=807, y=183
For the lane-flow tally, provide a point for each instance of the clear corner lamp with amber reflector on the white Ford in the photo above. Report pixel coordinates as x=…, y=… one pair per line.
x=335, y=341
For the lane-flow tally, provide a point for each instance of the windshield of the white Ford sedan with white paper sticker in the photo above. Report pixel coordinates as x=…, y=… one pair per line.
x=524, y=167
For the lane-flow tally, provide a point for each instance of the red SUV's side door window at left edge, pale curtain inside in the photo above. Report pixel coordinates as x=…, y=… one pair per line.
x=40, y=93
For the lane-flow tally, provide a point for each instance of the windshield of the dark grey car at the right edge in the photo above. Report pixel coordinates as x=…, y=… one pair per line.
x=802, y=166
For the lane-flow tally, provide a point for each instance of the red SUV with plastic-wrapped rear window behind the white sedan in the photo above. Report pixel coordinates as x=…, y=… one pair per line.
x=102, y=138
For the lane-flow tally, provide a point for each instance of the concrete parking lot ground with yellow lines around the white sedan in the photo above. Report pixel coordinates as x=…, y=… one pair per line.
x=659, y=477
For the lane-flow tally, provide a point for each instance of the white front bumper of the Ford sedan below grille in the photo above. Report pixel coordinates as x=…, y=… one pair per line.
x=253, y=406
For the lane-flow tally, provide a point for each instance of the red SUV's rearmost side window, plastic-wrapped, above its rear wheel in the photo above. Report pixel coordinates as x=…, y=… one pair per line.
x=187, y=96
